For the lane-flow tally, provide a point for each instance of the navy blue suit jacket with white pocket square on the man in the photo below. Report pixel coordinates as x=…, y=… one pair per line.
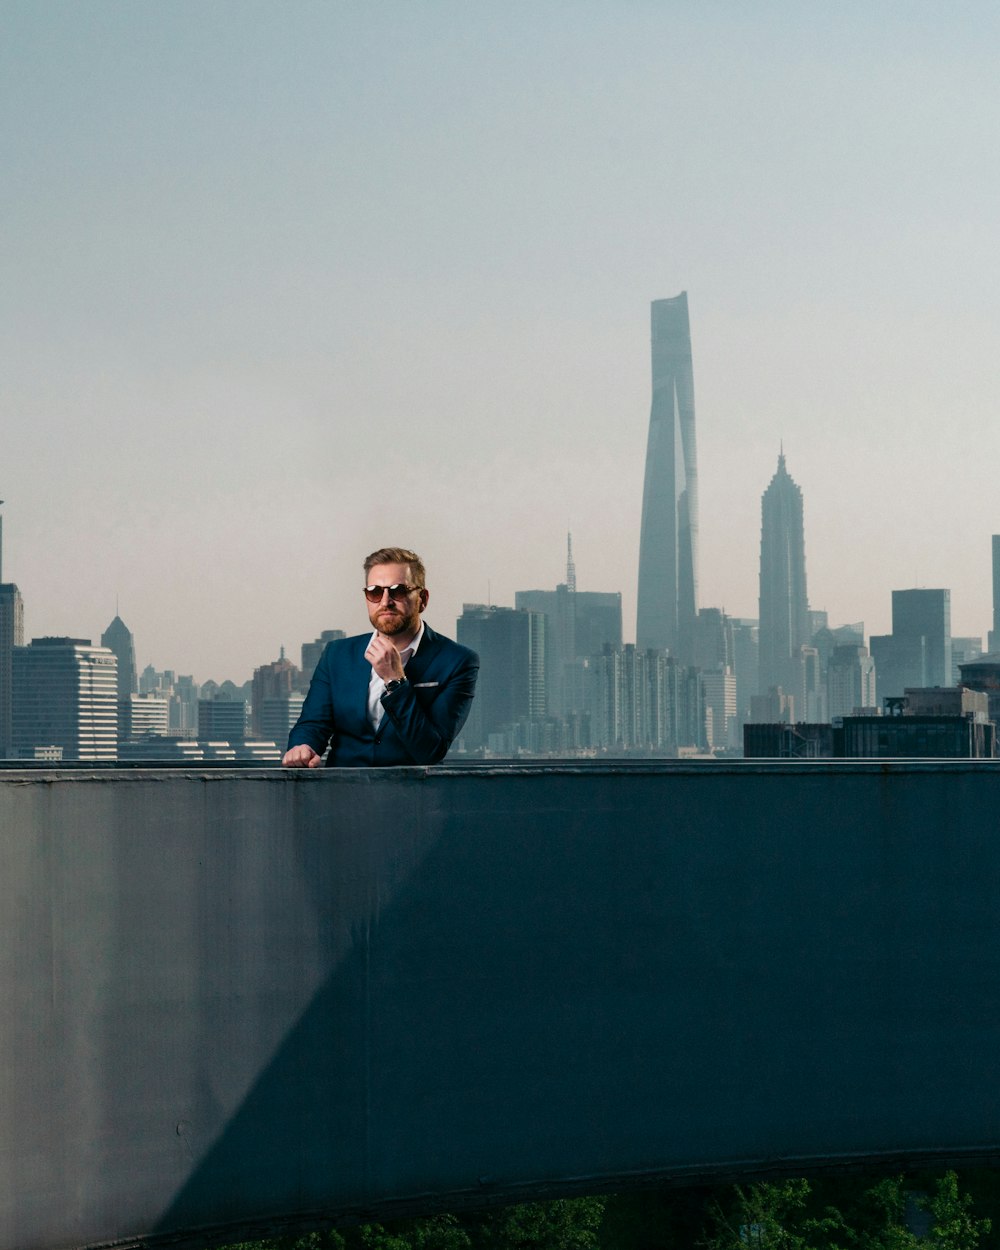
x=421, y=721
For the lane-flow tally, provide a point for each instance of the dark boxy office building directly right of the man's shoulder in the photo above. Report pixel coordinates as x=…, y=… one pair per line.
x=512, y=674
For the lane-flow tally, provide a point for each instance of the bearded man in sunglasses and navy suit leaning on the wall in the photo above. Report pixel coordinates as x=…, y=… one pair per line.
x=399, y=696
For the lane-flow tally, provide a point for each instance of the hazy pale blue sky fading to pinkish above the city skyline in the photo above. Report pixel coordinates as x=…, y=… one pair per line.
x=287, y=282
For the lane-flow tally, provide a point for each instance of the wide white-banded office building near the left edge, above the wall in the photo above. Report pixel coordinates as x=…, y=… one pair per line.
x=66, y=697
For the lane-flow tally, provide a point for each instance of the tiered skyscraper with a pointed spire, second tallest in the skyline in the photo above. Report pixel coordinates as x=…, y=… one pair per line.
x=784, y=606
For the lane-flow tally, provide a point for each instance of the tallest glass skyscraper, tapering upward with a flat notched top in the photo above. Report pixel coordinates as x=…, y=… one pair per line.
x=668, y=546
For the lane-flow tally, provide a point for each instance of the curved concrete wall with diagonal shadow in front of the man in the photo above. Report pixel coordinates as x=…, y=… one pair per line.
x=236, y=997
